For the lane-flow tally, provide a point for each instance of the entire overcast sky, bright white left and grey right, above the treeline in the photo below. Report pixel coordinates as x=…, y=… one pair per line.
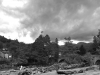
x=25, y=19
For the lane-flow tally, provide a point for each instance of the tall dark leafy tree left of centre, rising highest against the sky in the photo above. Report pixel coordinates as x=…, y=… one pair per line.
x=40, y=49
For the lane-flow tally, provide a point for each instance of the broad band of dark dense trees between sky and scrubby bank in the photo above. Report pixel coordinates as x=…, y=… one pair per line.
x=45, y=52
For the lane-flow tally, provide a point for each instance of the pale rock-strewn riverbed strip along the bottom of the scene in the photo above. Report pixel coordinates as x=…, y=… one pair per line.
x=91, y=70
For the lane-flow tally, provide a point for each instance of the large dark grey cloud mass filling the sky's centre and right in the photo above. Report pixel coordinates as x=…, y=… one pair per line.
x=62, y=18
